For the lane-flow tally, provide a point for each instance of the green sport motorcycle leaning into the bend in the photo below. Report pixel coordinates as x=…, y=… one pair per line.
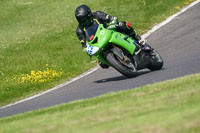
x=120, y=51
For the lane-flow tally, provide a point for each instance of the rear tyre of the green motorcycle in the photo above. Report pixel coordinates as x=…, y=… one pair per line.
x=156, y=61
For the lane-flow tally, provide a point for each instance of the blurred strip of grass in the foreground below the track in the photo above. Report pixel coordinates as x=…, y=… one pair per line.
x=168, y=107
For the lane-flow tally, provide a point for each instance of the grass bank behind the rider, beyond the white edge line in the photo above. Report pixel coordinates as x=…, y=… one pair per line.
x=37, y=32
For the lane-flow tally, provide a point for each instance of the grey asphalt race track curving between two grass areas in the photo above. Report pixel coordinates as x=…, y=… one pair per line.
x=179, y=44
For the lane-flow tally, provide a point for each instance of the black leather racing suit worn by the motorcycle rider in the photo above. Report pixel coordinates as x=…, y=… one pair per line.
x=100, y=17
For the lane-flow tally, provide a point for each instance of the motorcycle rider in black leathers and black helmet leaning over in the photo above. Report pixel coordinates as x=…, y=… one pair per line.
x=86, y=18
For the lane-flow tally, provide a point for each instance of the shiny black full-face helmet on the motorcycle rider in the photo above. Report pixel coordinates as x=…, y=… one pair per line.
x=83, y=15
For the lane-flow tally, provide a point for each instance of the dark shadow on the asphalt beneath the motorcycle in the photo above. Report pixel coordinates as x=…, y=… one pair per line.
x=120, y=78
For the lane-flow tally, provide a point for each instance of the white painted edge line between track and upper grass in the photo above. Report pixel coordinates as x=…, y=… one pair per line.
x=156, y=27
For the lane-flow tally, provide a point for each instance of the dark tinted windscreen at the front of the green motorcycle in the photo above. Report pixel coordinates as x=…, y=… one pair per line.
x=91, y=31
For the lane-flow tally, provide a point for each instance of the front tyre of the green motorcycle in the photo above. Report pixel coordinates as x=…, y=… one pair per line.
x=115, y=63
